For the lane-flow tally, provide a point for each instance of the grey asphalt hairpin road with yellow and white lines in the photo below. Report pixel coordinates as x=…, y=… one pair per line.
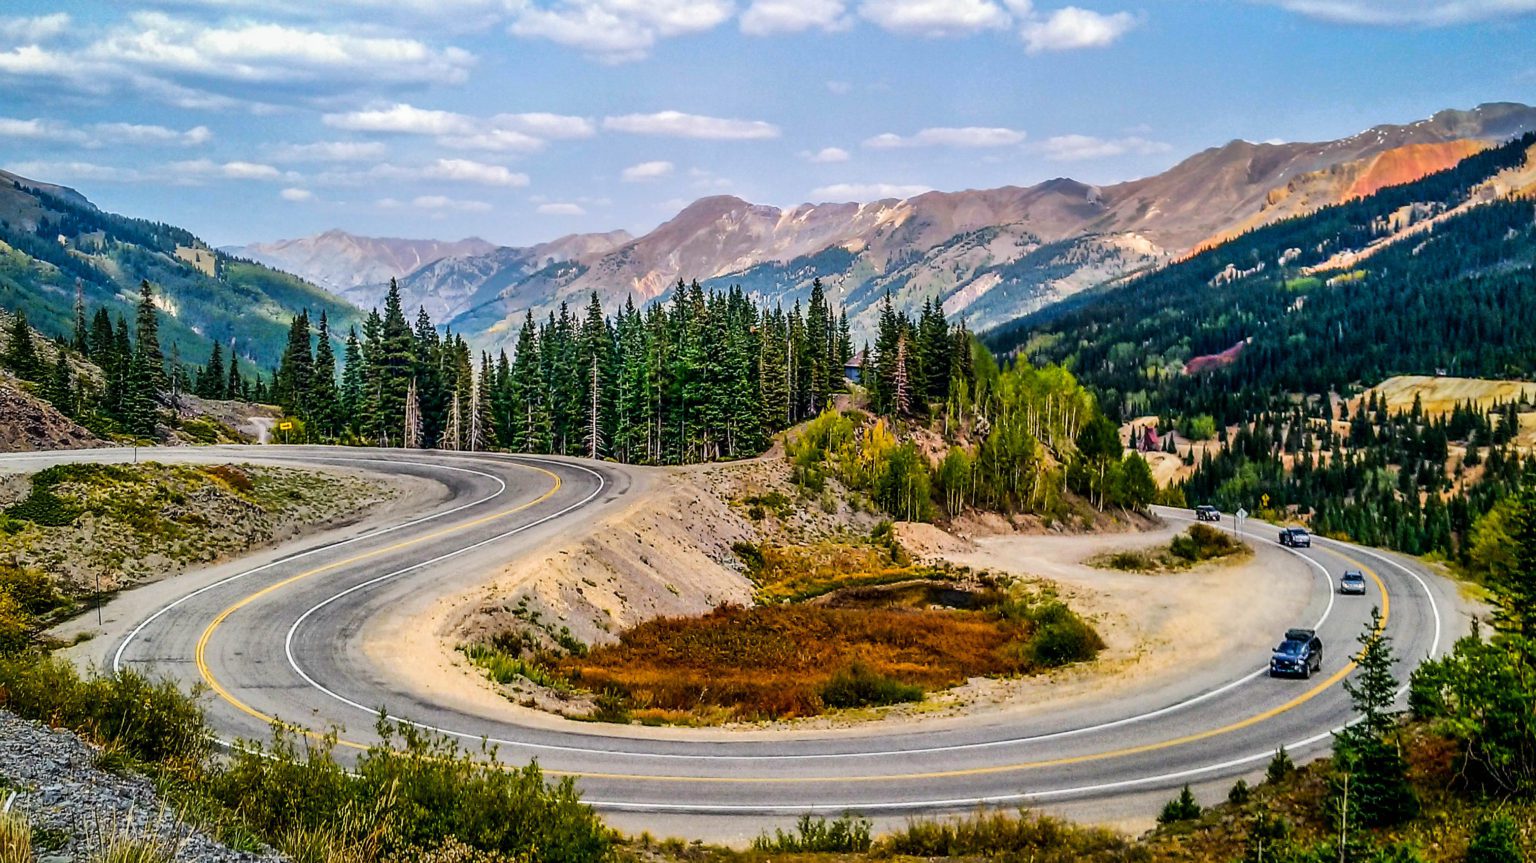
x=285, y=635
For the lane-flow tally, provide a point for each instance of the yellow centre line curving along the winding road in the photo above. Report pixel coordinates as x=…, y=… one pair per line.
x=1127, y=752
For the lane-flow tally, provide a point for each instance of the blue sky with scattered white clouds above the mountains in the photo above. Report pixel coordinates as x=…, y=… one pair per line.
x=526, y=121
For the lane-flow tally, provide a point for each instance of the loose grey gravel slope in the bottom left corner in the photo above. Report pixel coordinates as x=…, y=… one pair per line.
x=74, y=805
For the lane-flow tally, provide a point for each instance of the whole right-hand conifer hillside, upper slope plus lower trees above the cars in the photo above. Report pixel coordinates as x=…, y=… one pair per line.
x=1257, y=351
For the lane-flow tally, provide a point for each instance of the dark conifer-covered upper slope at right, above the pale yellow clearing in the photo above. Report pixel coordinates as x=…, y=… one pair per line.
x=1455, y=297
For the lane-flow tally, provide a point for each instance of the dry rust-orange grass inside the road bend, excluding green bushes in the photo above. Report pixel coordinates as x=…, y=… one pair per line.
x=772, y=663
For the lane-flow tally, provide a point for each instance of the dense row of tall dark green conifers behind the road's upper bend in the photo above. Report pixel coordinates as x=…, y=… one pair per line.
x=704, y=377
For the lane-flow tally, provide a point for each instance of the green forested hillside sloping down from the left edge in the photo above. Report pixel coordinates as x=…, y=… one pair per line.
x=55, y=243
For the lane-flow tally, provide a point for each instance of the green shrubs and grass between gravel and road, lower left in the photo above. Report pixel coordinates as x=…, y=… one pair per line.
x=412, y=798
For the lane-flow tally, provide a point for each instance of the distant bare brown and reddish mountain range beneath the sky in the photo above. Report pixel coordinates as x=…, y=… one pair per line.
x=988, y=256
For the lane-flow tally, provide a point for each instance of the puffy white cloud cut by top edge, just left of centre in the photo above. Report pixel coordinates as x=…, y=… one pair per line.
x=617, y=31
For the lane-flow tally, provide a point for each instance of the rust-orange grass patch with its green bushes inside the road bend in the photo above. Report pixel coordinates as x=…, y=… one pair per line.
x=793, y=661
